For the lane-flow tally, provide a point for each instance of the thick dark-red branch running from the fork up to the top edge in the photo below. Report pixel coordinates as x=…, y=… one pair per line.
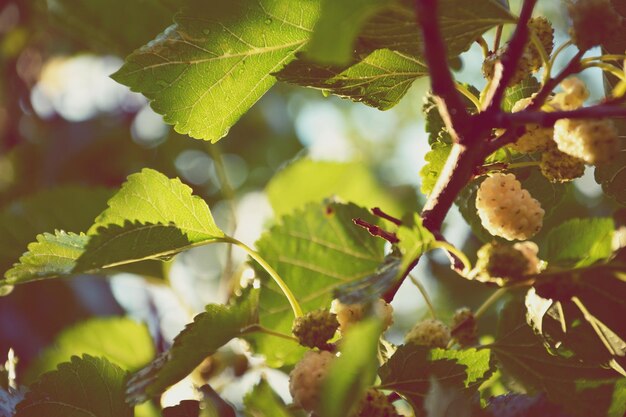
x=449, y=102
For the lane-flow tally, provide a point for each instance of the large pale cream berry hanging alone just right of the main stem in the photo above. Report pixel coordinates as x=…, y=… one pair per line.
x=507, y=210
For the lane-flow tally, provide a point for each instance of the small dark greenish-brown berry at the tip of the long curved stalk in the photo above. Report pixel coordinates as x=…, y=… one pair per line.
x=315, y=328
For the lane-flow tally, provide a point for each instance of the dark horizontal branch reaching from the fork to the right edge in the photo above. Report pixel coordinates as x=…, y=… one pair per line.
x=547, y=119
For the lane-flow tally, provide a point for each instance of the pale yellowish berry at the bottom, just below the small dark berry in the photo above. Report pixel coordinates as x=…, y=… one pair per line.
x=307, y=377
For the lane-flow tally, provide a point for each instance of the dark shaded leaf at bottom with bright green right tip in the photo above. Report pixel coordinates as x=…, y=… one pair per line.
x=412, y=368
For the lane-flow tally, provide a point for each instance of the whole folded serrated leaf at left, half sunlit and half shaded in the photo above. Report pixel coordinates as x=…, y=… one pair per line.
x=150, y=217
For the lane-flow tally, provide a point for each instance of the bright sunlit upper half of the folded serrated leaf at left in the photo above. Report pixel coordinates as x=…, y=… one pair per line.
x=151, y=197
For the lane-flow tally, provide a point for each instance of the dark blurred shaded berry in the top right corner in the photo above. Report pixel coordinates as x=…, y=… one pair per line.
x=594, y=22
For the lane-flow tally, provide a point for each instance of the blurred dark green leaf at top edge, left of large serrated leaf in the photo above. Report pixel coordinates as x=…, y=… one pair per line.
x=112, y=26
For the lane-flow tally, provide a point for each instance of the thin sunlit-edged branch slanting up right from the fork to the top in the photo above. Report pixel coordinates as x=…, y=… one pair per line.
x=505, y=71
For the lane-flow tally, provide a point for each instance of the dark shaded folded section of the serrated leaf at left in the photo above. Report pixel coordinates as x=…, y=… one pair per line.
x=115, y=245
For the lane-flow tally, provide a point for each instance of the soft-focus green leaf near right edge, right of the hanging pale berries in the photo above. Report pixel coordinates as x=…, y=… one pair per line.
x=579, y=242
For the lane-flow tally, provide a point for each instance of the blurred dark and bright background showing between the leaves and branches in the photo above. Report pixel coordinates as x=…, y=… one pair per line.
x=71, y=135
